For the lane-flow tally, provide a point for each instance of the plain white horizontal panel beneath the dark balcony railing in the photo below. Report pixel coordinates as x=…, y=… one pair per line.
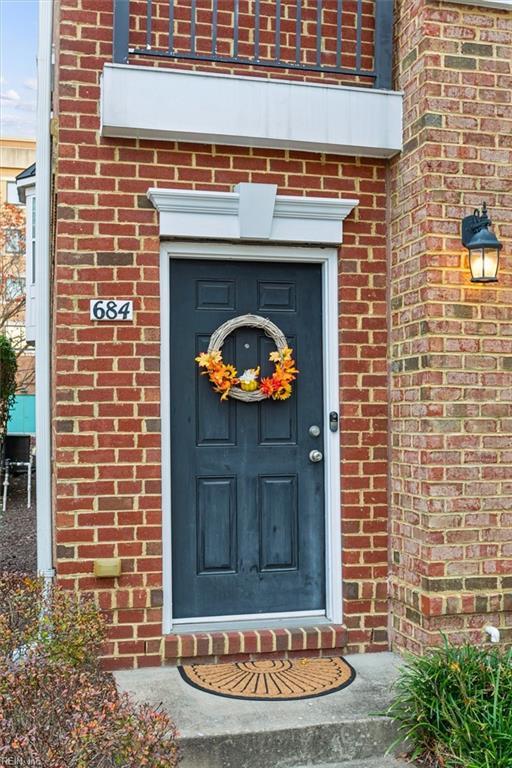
x=177, y=105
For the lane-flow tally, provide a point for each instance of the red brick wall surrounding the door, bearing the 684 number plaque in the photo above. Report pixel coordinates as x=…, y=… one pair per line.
x=106, y=378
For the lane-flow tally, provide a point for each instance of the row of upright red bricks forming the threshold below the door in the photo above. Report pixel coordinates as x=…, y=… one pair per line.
x=250, y=645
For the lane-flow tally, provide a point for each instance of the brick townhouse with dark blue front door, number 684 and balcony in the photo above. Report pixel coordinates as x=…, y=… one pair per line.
x=309, y=163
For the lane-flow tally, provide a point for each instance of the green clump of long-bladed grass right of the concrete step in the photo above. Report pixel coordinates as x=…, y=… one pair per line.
x=454, y=707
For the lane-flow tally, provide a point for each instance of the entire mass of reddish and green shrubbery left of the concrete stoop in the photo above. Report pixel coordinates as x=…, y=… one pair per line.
x=58, y=709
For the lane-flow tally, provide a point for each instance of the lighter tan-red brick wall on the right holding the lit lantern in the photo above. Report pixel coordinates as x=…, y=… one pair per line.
x=451, y=343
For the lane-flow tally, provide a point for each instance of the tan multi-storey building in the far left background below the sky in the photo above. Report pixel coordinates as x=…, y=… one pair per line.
x=15, y=155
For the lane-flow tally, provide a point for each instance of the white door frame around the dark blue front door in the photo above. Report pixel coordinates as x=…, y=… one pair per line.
x=328, y=258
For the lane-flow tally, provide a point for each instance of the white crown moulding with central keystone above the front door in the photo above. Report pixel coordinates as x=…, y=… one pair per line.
x=251, y=212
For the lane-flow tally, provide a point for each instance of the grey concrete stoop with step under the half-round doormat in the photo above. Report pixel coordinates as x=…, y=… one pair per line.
x=339, y=729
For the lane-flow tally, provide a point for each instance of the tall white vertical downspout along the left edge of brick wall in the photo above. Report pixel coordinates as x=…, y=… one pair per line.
x=42, y=335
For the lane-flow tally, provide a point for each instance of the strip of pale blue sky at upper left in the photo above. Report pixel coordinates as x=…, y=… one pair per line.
x=18, y=84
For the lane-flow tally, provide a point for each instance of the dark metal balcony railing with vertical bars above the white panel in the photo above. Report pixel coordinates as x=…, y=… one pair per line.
x=310, y=35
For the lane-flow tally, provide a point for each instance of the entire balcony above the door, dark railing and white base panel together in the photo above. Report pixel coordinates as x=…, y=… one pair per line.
x=297, y=74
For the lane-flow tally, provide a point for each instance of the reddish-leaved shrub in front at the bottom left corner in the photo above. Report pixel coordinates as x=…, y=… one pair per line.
x=57, y=715
